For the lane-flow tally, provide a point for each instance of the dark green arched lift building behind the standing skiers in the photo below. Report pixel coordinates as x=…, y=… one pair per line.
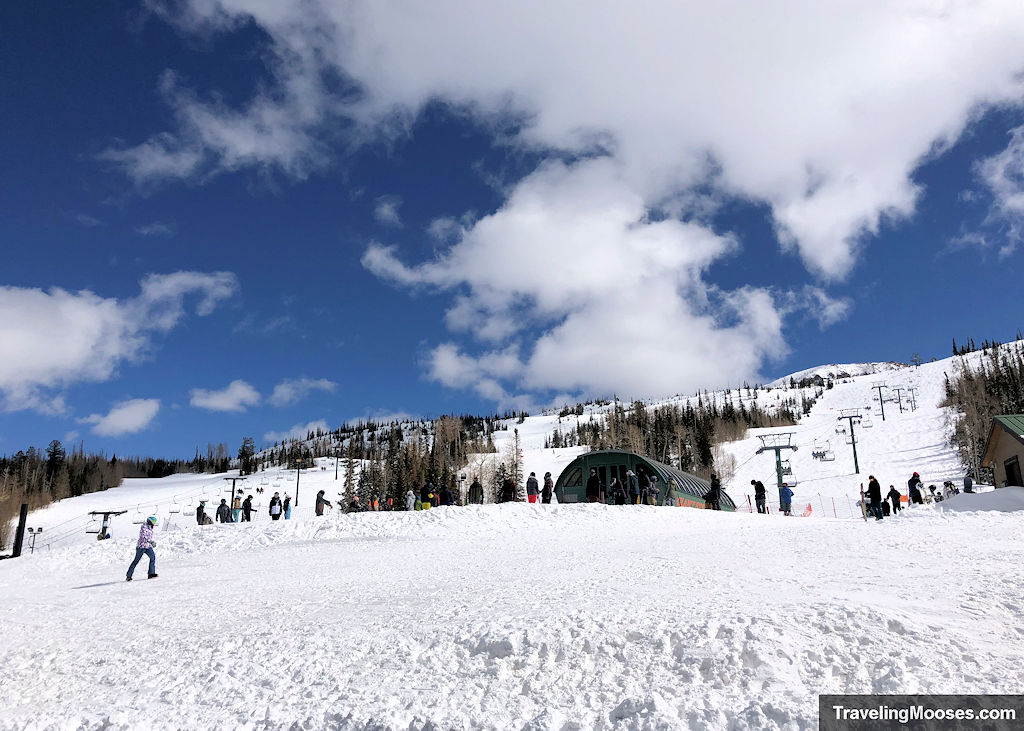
x=686, y=491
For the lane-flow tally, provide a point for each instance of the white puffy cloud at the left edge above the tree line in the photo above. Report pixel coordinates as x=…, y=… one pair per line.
x=63, y=338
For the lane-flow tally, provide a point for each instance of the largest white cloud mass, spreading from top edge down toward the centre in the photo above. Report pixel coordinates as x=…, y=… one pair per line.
x=821, y=115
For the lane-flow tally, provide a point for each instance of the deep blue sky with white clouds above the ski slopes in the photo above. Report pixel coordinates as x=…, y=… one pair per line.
x=224, y=220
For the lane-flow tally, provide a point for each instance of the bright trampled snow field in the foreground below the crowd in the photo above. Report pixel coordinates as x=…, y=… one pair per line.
x=513, y=617
